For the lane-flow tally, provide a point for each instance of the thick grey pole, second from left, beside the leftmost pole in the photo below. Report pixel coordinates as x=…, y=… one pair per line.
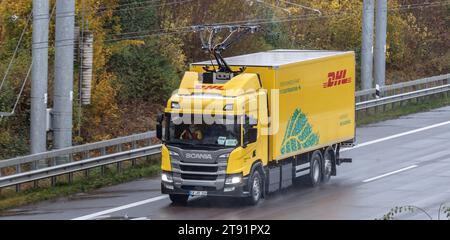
x=64, y=65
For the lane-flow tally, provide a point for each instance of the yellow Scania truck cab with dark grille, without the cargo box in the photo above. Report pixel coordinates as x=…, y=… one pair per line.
x=211, y=136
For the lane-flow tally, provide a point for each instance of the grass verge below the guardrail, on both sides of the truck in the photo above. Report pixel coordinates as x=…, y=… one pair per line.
x=151, y=167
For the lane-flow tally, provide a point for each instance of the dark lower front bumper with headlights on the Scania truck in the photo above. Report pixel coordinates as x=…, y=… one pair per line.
x=239, y=190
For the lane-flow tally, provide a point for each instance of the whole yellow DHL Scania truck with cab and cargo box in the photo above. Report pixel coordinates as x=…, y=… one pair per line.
x=272, y=119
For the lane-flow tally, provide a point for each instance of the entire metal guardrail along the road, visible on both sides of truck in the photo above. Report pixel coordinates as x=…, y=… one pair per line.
x=26, y=169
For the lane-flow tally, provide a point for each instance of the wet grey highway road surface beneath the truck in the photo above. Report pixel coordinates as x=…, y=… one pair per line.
x=398, y=162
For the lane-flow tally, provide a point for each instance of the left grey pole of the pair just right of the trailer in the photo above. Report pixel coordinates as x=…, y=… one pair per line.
x=367, y=44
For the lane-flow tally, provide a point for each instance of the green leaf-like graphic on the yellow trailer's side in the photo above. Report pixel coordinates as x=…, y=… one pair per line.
x=298, y=134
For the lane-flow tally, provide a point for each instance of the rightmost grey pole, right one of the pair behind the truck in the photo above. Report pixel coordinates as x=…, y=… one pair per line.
x=380, y=43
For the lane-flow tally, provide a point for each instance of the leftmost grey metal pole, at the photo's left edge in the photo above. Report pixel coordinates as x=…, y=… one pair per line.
x=39, y=79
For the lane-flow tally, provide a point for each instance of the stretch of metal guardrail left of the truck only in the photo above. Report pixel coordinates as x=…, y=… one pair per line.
x=83, y=157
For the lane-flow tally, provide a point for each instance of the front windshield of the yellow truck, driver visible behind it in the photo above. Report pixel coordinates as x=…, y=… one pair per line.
x=222, y=132
